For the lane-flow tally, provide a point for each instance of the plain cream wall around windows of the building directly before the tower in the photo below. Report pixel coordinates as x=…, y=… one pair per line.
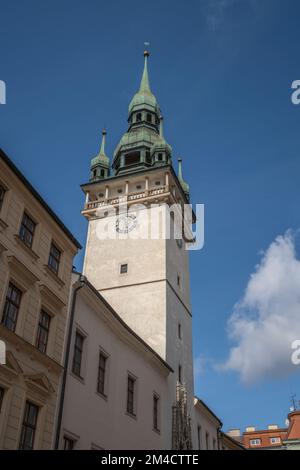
x=94, y=421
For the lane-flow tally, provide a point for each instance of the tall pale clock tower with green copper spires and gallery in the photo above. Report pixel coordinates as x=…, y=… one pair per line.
x=144, y=278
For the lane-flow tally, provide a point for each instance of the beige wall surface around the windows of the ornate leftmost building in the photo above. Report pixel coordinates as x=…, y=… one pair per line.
x=30, y=374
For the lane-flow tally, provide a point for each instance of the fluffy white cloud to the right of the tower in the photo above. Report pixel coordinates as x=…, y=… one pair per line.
x=267, y=319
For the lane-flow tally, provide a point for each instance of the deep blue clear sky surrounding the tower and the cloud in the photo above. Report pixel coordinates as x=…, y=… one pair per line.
x=222, y=72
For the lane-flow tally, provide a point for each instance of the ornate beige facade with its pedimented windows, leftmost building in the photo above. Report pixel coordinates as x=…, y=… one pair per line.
x=36, y=256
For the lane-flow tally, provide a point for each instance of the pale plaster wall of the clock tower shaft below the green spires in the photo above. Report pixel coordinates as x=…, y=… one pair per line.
x=149, y=297
